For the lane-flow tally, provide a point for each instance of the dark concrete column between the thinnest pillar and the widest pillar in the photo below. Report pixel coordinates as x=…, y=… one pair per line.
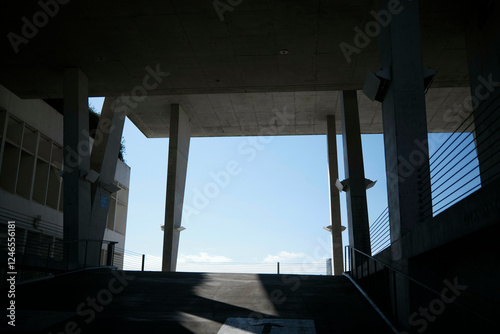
x=357, y=210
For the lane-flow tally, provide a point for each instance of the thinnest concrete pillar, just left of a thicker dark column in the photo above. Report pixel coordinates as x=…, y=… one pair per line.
x=338, y=259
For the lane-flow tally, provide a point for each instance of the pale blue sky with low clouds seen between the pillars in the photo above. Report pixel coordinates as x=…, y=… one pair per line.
x=272, y=209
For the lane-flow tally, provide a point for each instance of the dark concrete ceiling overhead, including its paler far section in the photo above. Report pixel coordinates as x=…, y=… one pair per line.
x=227, y=74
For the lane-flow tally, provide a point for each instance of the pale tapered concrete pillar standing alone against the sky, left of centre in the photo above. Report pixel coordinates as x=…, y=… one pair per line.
x=180, y=134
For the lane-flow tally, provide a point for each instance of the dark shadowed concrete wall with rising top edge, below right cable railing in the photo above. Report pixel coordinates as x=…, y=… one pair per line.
x=458, y=244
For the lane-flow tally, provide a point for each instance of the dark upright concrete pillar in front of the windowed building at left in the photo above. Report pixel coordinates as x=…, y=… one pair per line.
x=76, y=164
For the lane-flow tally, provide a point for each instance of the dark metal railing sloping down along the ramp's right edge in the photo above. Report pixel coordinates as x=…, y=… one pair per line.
x=392, y=291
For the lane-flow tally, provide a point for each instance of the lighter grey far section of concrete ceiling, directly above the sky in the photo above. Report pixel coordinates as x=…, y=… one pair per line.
x=303, y=113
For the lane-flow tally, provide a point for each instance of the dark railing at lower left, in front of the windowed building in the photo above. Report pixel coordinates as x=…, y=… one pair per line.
x=40, y=249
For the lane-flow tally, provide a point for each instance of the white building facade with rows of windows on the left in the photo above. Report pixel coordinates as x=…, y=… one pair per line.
x=31, y=181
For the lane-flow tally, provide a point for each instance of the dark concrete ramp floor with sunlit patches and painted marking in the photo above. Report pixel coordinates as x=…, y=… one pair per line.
x=154, y=302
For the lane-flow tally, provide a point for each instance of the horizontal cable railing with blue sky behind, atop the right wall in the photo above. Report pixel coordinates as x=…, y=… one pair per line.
x=455, y=167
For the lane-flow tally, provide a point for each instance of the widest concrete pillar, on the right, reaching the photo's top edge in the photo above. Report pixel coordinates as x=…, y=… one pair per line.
x=405, y=123
